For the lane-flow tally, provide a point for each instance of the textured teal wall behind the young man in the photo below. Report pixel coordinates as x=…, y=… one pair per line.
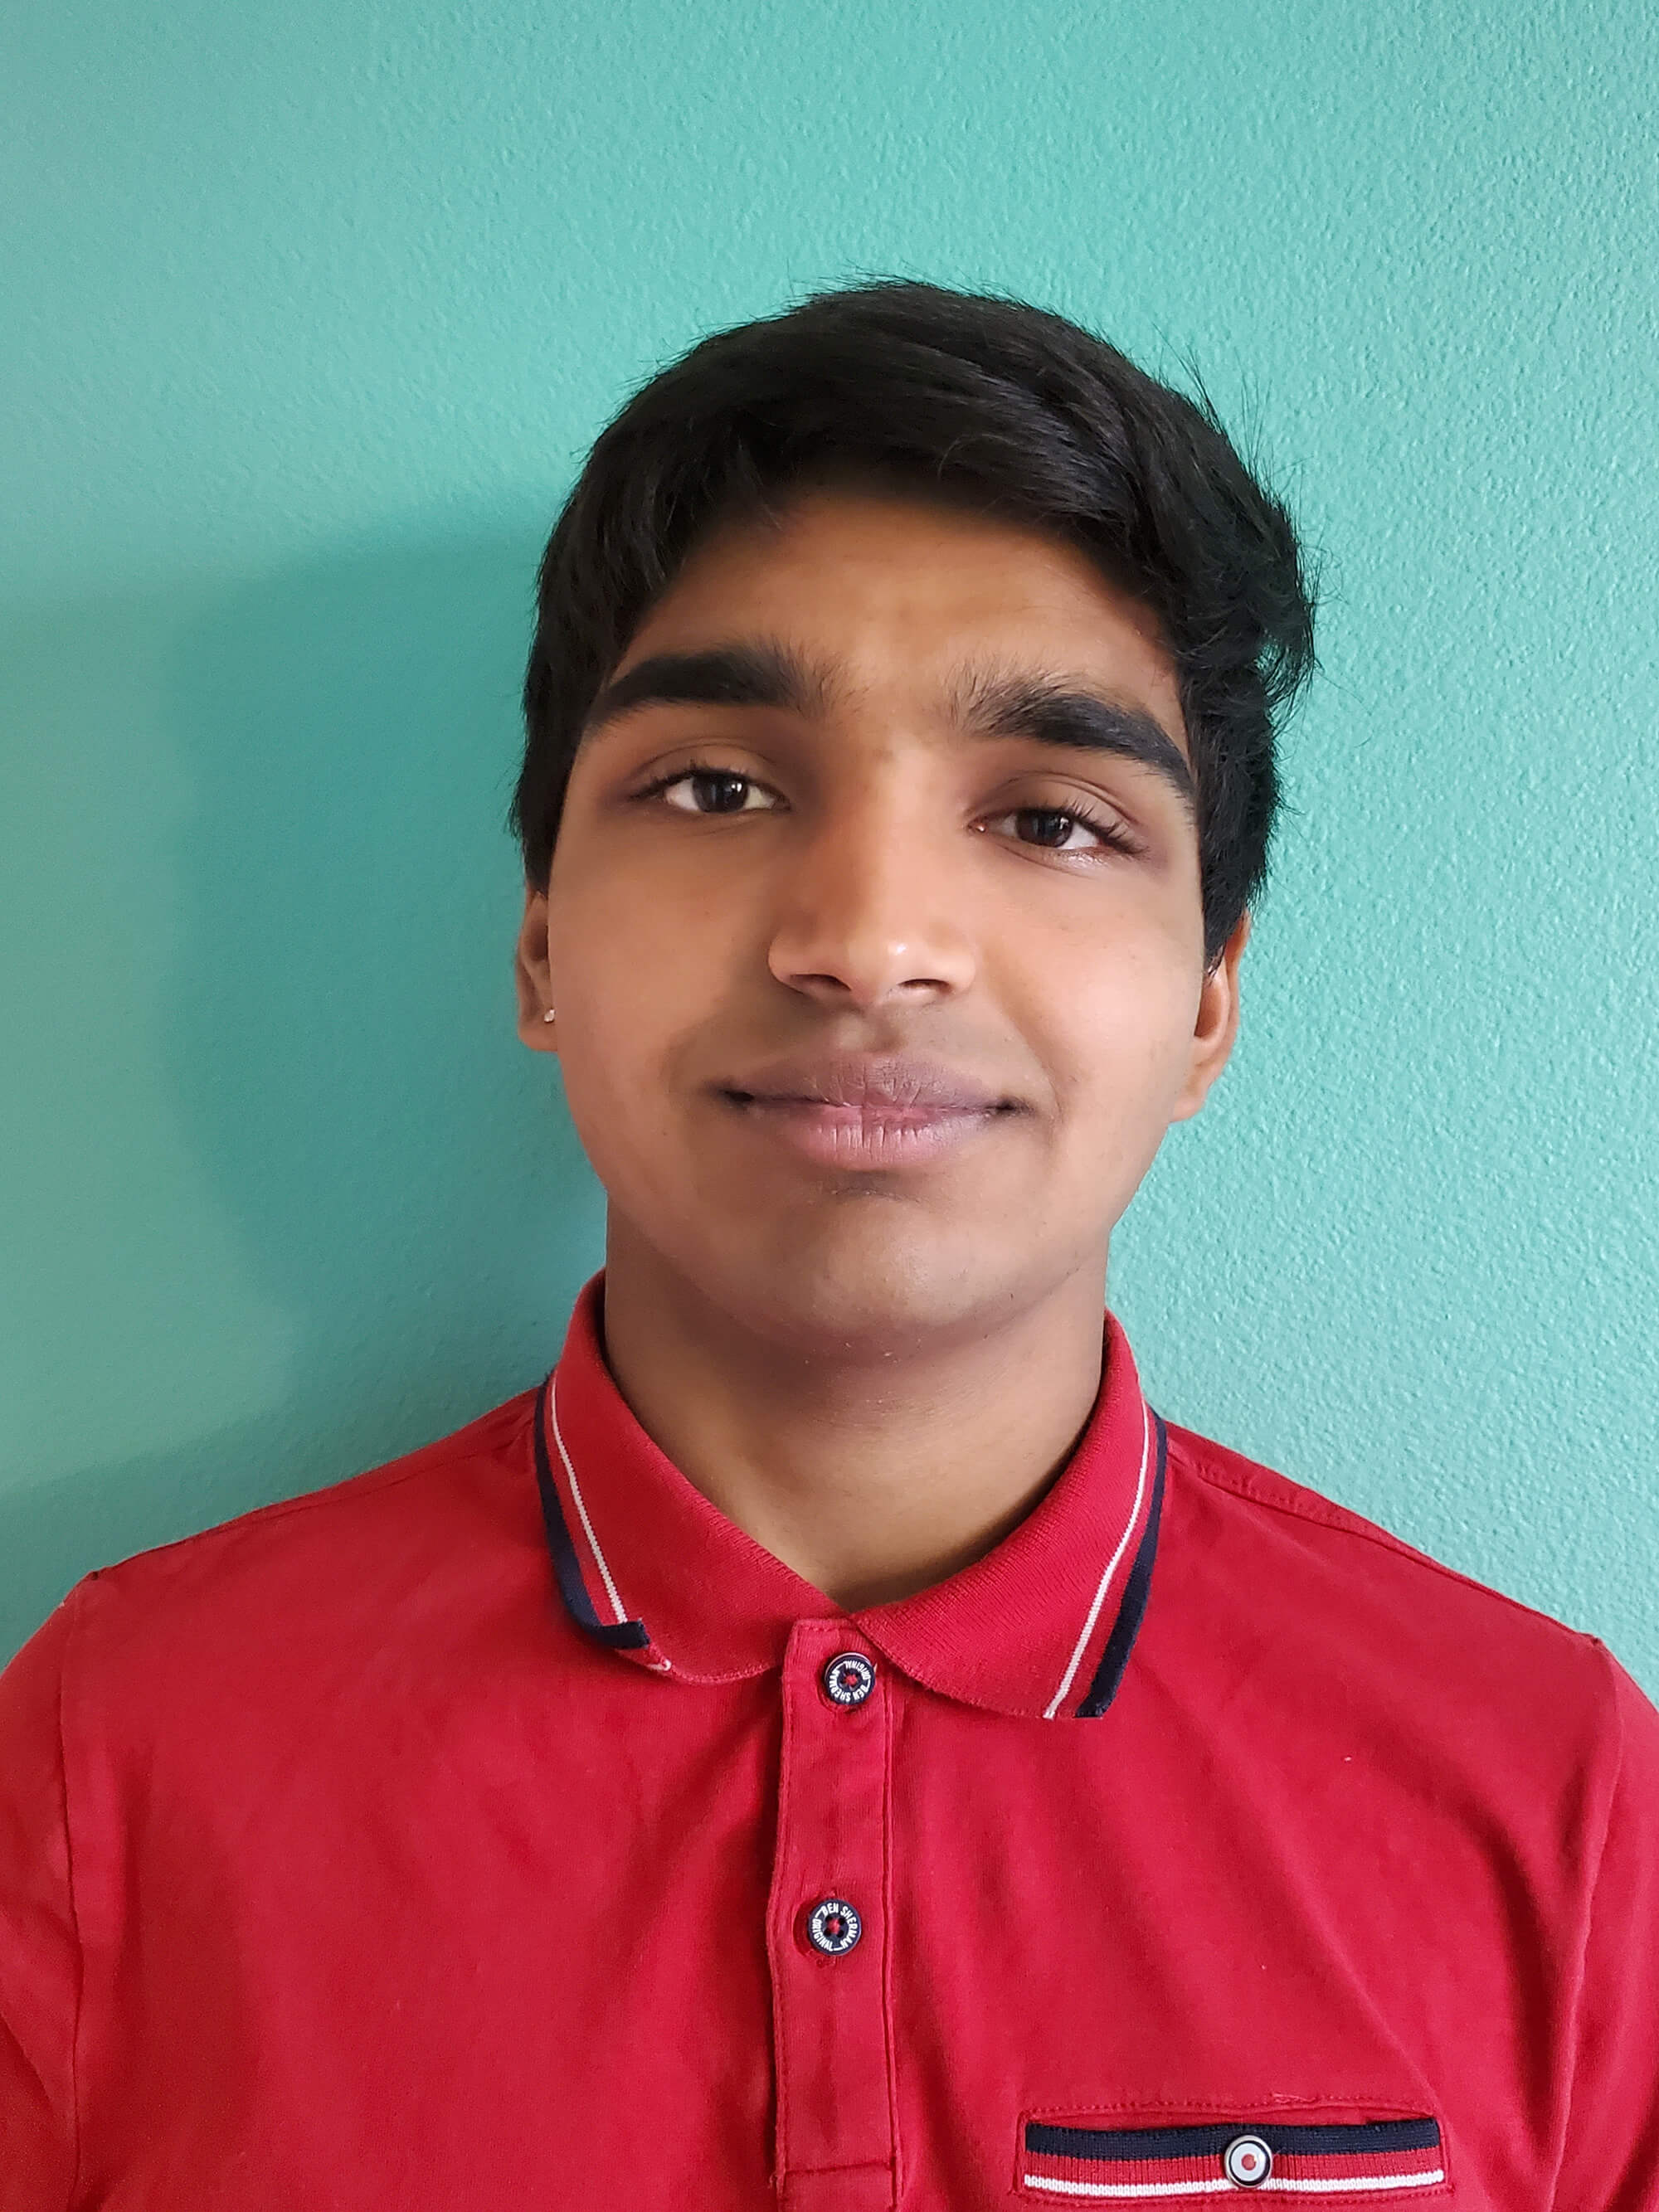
x=311, y=311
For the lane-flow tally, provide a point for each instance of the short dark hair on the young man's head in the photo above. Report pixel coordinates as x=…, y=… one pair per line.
x=983, y=404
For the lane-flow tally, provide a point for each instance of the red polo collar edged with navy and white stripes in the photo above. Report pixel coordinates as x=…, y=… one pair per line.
x=1041, y=1627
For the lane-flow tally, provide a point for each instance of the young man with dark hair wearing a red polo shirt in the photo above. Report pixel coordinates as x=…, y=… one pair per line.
x=835, y=1746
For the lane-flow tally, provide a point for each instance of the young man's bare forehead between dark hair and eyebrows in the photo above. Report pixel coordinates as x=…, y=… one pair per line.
x=890, y=596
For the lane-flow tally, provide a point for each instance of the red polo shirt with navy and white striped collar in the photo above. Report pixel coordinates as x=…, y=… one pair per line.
x=1200, y=1839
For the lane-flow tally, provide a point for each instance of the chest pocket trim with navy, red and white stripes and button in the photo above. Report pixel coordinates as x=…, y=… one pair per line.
x=1342, y=2162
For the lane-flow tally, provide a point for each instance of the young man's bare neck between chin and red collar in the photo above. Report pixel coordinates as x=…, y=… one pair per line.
x=870, y=1477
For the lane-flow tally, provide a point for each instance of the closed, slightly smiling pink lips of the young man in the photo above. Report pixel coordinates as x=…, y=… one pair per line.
x=866, y=1112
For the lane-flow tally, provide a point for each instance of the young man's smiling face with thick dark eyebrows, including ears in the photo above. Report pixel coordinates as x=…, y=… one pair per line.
x=875, y=928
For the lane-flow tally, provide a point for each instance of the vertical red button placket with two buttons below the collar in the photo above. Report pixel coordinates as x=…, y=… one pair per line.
x=828, y=1932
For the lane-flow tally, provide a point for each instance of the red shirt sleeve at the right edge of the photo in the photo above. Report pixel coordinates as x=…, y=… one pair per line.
x=1611, y=2158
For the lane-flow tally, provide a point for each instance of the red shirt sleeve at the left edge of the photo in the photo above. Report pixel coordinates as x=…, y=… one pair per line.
x=39, y=1948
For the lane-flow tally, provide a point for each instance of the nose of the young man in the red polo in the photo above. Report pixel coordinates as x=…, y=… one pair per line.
x=875, y=910
